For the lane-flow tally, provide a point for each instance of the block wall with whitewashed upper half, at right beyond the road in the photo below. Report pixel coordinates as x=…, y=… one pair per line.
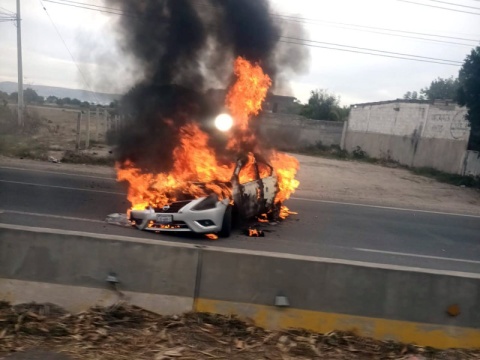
x=416, y=134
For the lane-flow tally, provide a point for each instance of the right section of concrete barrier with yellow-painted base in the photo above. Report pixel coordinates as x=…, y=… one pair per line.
x=384, y=302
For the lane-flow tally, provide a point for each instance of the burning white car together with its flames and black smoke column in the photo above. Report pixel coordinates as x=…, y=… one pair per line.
x=177, y=165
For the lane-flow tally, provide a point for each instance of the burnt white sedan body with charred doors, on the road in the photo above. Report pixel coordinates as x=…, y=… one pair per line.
x=209, y=214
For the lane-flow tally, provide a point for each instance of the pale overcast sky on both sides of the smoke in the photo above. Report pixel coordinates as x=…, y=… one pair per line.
x=76, y=48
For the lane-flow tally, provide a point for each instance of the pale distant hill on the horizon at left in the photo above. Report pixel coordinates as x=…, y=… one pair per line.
x=46, y=91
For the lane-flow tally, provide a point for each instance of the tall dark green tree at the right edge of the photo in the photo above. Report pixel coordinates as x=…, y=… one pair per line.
x=468, y=94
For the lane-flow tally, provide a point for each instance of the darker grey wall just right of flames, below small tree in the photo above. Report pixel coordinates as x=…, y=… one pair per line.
x=295, y=132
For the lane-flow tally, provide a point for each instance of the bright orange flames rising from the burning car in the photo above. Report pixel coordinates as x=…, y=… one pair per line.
x=197, y=170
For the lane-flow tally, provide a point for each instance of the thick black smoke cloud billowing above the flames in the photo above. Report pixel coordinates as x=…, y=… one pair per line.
x=182, y=47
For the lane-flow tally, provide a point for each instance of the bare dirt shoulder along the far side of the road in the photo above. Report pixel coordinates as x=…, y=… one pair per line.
x=337, y=180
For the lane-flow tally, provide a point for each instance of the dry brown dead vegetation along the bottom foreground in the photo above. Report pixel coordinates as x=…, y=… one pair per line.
x=128, y=332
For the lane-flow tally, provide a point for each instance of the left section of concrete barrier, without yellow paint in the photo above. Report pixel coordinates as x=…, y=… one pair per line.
x=70, y=269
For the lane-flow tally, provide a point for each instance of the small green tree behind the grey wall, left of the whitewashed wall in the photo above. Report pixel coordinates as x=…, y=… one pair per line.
x=323, y=105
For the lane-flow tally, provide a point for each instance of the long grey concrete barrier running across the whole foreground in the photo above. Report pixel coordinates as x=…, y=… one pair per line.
x=384, y=302
